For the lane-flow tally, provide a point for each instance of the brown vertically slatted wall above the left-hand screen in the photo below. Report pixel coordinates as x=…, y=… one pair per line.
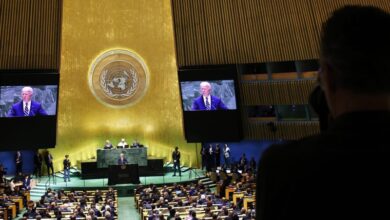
x=30, y=34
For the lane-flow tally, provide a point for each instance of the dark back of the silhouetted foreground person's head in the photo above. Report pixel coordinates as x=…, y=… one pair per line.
x=354, y=59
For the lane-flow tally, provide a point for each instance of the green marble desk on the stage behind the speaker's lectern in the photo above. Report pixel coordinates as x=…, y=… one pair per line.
x=109, y=157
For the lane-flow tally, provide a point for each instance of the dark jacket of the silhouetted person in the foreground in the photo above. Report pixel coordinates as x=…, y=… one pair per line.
x=341, y=173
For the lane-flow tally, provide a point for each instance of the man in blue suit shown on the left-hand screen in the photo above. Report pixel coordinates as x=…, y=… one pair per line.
x=26, y=107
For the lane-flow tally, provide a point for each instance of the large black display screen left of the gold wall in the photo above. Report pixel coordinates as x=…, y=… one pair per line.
x=28, y=109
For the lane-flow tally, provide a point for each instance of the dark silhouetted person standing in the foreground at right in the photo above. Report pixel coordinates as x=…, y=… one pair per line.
x=340, y=173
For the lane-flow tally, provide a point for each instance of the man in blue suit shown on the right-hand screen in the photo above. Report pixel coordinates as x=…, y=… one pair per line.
x=207, y=101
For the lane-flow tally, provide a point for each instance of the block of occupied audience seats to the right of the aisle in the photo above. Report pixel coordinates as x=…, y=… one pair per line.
x=238, y=199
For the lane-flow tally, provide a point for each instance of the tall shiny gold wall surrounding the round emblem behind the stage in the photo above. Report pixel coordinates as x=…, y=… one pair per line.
x=92, y=27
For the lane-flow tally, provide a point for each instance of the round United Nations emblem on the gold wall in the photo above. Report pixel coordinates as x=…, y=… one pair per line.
x=118, y=78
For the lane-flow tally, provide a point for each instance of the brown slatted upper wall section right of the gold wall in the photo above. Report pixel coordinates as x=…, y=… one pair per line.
x=251, y=31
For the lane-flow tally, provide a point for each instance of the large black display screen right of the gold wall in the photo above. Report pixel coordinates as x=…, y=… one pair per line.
x=209, y=98
